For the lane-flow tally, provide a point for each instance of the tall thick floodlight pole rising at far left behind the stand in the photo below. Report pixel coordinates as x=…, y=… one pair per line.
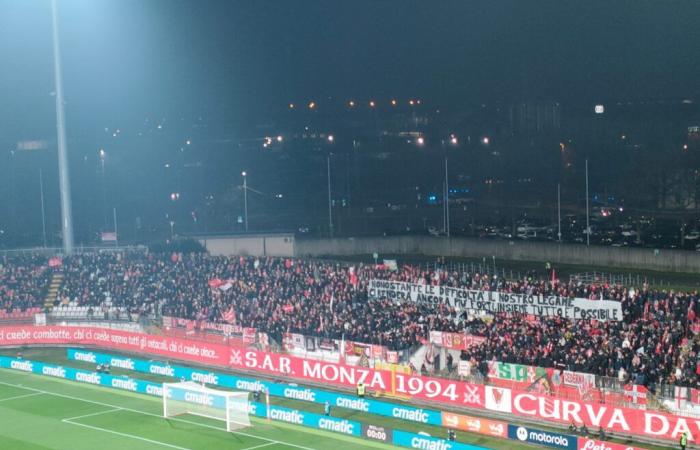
x=63, y=176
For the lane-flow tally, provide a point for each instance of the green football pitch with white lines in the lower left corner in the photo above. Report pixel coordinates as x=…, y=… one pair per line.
x=44, y=413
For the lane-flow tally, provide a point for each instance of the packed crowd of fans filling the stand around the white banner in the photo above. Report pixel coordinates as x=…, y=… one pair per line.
x=655, y=343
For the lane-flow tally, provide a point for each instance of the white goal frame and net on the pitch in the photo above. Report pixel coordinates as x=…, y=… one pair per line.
x=191, y=398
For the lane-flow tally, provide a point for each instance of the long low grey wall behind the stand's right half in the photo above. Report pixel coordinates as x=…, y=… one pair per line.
x=631, y=258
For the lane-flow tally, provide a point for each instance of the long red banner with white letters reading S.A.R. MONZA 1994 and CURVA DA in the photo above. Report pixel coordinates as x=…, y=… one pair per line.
x=447, y=392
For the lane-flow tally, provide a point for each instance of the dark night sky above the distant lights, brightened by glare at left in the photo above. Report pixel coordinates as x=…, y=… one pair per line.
x=229, y=61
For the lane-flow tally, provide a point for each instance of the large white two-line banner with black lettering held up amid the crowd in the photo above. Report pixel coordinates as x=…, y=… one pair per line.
x=496, y=302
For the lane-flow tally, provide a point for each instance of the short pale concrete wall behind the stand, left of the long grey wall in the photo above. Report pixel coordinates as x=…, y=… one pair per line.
x=253, y=245
